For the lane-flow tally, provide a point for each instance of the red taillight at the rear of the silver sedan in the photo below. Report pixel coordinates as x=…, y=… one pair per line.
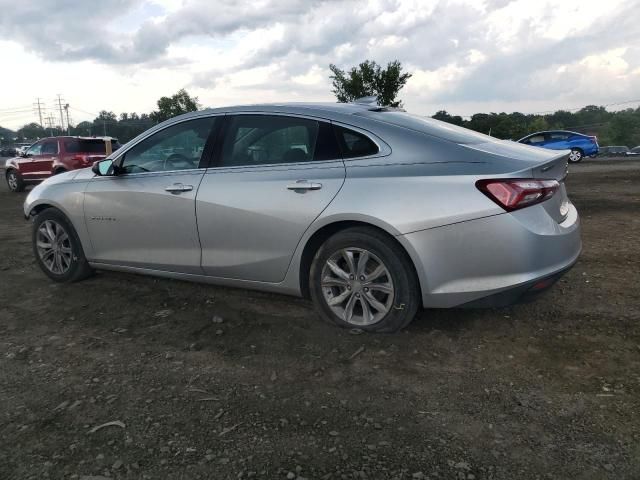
x=512, y=194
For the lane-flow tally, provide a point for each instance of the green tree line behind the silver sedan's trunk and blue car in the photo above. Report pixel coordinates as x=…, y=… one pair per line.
x=611, y=128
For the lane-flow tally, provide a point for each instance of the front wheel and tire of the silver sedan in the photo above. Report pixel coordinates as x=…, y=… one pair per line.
x=57, y=248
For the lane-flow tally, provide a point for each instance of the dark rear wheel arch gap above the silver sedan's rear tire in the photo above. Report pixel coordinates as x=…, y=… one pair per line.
x=328, y=229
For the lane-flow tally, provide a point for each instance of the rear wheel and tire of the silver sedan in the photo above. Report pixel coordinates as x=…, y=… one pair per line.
x=381, y=295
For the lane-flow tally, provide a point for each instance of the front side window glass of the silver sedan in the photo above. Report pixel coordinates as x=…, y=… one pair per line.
x=177, y=147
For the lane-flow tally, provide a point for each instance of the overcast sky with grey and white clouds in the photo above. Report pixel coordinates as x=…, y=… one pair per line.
x=466, y=56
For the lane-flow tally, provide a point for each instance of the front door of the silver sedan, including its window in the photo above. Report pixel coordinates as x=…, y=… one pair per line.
x=144, y=215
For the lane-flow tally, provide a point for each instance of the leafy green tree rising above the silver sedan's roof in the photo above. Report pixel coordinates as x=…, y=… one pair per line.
x=369, y=79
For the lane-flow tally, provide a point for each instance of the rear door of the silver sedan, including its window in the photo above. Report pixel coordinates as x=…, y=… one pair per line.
x=273, y=176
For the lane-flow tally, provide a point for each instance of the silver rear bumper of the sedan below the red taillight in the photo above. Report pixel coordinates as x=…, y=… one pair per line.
x=502, y=256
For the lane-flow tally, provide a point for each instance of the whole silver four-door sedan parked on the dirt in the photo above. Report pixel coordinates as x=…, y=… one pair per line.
x=371, y=212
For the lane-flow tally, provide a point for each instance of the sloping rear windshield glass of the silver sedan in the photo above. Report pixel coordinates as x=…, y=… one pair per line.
x=429, y=126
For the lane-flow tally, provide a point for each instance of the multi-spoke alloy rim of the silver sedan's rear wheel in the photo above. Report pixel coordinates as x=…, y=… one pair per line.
x=357, y=286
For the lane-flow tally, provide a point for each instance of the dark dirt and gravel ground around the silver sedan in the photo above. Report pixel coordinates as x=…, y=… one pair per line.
x=220, y=383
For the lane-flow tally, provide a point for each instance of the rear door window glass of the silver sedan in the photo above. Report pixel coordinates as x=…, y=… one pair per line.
x=271, y=139
